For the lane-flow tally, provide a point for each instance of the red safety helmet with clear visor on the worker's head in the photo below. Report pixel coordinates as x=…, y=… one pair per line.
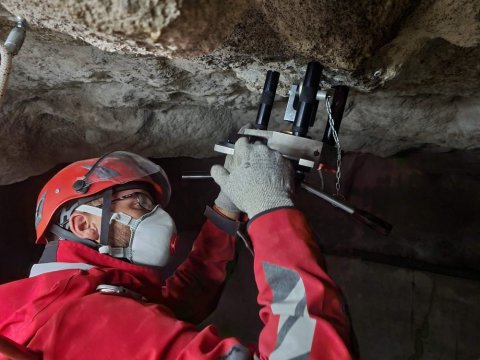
x=87, y=178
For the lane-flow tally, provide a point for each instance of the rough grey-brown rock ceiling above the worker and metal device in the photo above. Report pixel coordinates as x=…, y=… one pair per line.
x=170, y=78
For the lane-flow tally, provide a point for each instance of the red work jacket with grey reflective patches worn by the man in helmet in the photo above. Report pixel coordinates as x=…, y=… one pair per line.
x=60, y=314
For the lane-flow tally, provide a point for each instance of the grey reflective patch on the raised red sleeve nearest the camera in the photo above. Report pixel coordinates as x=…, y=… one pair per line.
x=295, y=327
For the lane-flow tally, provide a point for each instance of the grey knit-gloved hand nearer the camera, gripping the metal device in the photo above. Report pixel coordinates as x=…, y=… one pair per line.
x=260, y=180
